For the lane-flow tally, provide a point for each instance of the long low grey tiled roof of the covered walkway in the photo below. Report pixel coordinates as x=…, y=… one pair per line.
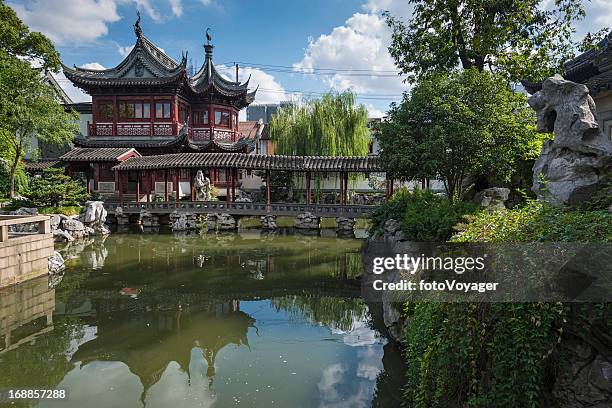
x=252, y=162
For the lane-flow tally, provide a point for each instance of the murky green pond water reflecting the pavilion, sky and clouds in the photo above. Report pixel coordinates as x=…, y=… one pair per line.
x=160, y=320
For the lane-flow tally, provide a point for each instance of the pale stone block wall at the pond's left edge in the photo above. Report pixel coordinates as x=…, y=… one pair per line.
x=24, y=258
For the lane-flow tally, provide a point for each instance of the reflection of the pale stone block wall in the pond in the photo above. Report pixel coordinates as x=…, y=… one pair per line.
x=26, y=311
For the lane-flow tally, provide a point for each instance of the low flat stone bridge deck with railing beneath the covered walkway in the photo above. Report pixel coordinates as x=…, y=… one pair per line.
x=243, y=208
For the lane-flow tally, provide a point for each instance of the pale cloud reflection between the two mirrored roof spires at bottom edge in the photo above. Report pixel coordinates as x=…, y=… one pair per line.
x=177, y=388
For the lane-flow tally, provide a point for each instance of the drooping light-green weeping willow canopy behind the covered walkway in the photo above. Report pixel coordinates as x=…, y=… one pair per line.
x=330, y=126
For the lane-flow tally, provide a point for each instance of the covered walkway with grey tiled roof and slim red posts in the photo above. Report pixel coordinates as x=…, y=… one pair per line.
x=161, y=175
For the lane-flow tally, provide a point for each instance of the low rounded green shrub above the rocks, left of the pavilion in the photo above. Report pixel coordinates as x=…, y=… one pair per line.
x=55, y=189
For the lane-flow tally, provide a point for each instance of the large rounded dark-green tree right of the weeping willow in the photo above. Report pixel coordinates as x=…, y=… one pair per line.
x=455, y=126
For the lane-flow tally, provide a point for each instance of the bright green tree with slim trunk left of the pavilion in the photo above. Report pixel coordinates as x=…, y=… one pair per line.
x=29, y=108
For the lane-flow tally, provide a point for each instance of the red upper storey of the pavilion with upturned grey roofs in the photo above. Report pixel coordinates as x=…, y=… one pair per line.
x=148, y=102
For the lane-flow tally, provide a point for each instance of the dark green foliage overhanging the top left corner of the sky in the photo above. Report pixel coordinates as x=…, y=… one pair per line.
x=17, y=41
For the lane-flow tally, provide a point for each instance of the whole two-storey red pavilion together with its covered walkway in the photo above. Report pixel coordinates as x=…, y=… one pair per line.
x=153, y=127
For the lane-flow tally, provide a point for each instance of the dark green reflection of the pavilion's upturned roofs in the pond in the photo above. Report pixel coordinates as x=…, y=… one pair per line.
x=147, y=343
